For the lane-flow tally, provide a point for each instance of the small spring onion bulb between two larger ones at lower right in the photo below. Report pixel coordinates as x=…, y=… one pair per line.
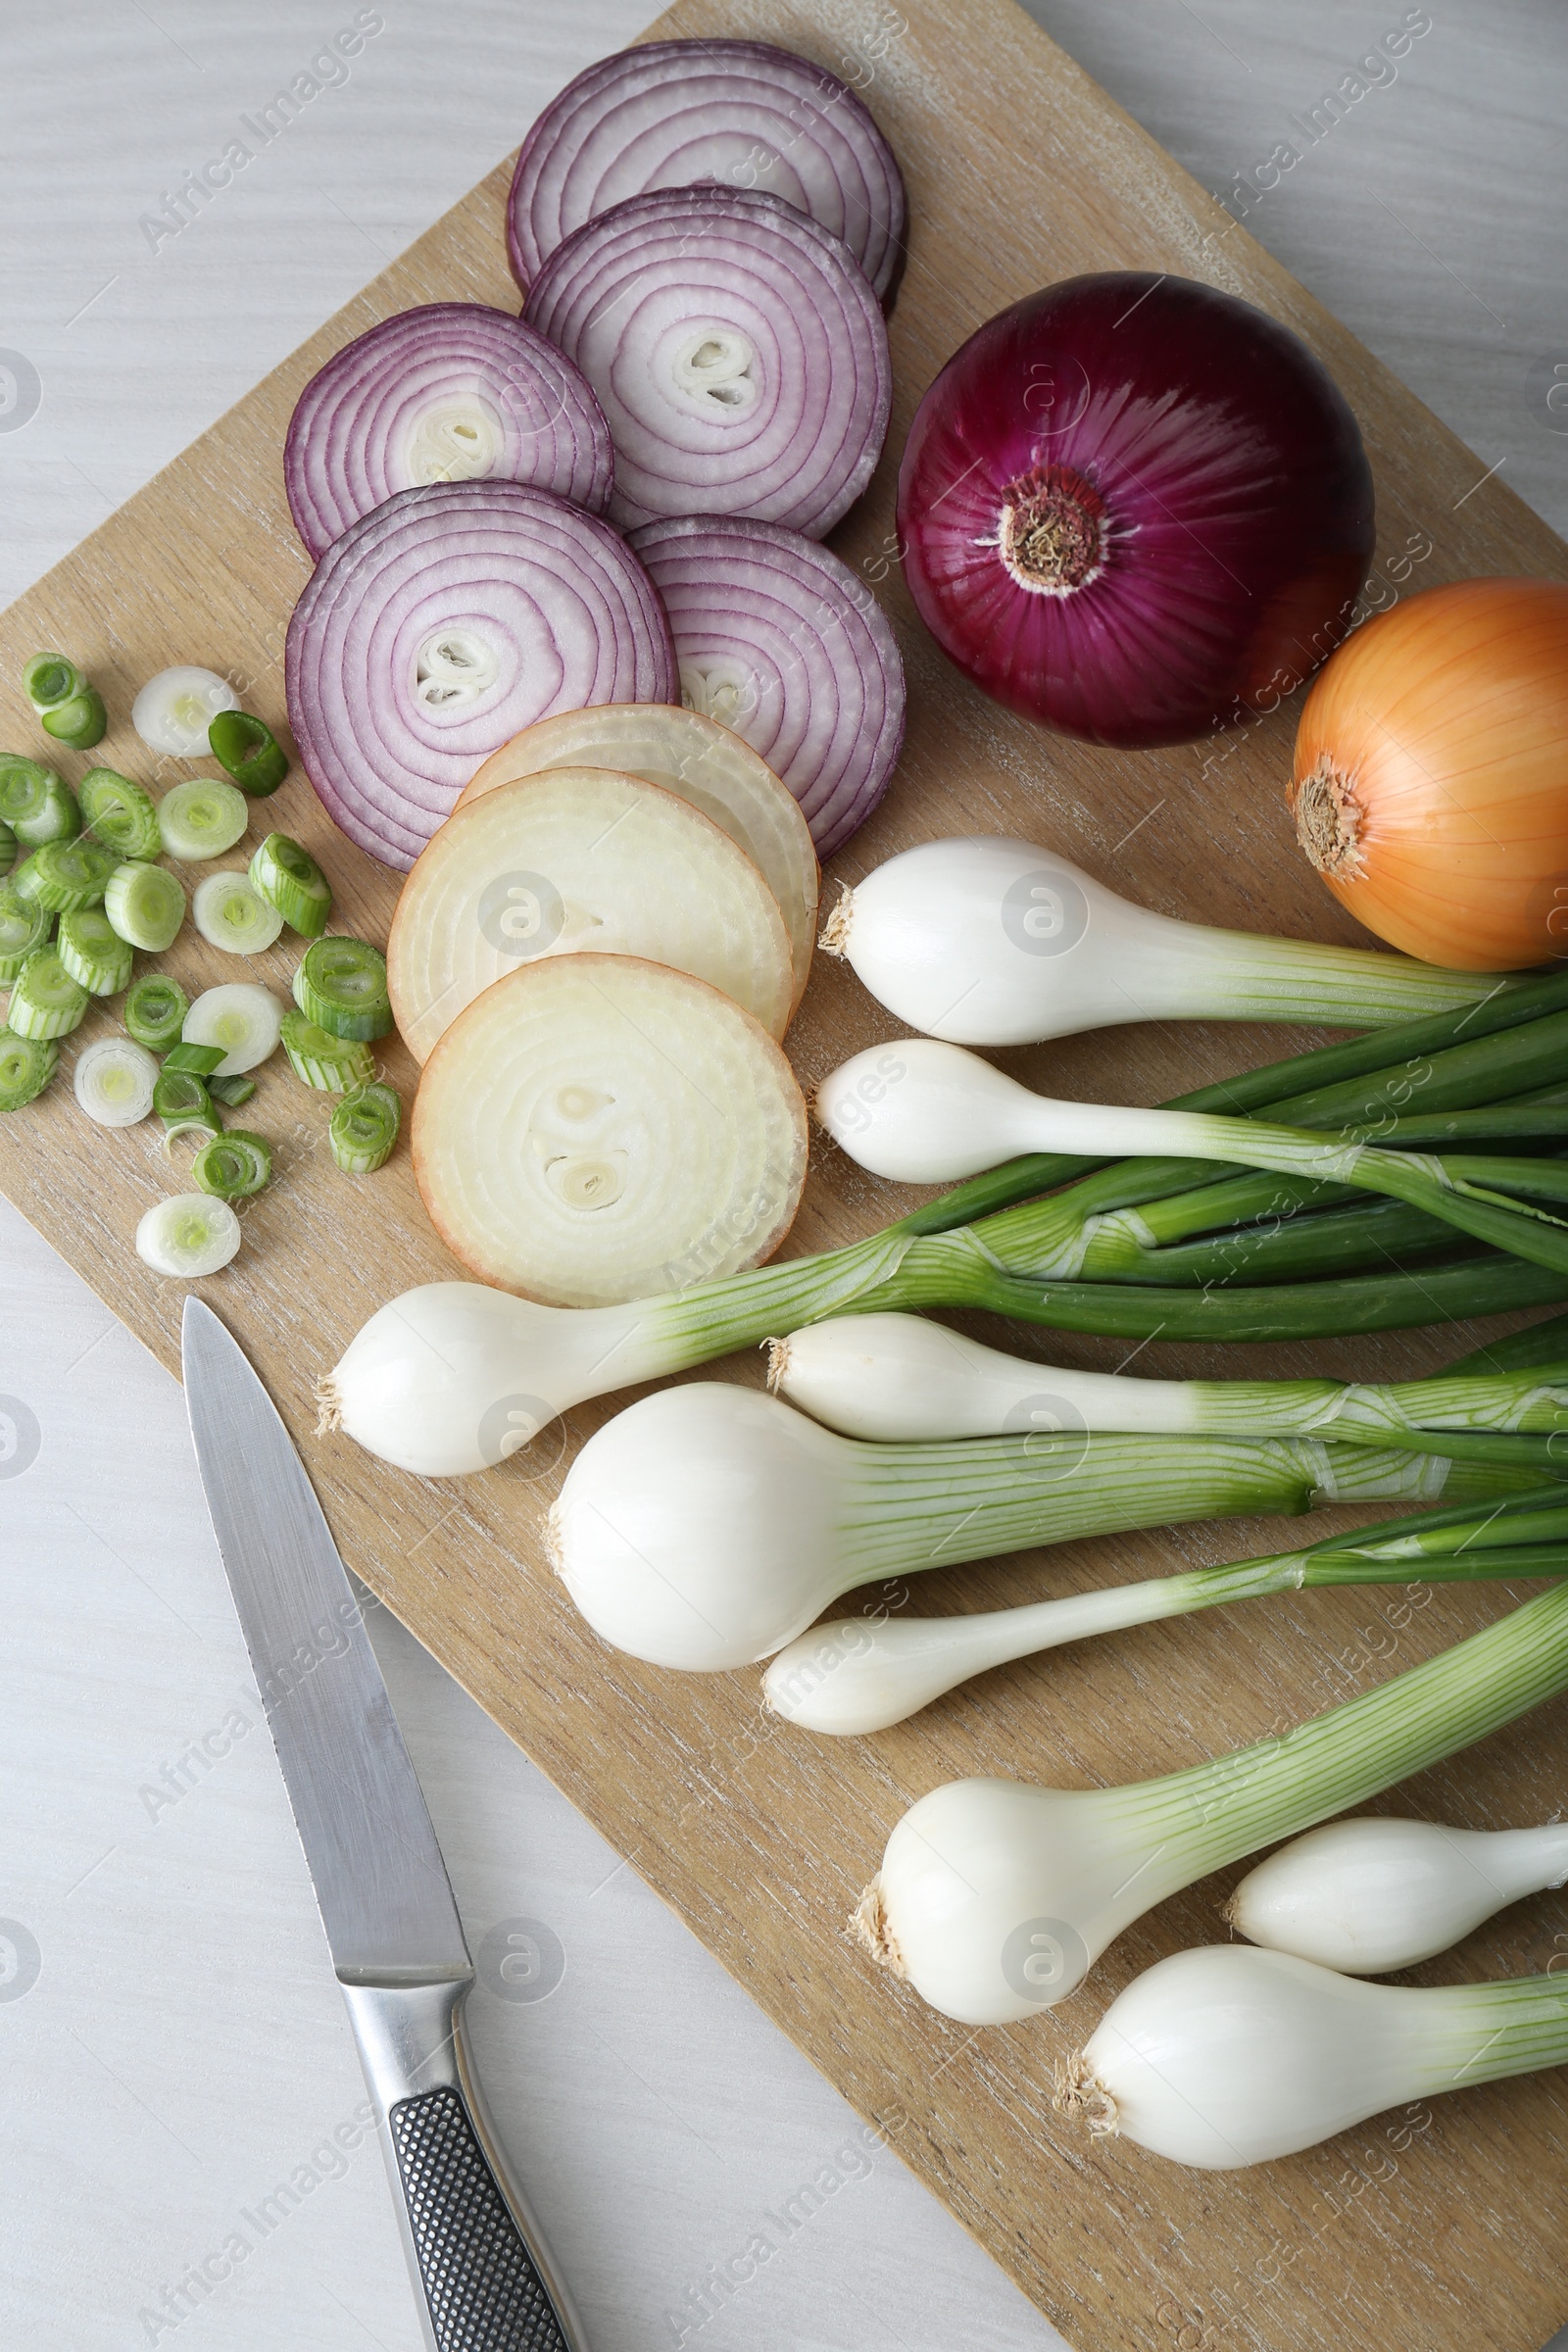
x=1374, y=1895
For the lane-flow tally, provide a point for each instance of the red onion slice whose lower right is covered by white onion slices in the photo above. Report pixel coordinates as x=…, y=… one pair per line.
x=443, y=624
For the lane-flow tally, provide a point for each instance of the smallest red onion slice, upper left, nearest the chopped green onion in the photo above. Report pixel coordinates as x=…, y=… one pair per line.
x=445, y=394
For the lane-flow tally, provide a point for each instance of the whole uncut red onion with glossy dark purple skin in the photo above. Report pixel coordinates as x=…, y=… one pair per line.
x=1134, y=509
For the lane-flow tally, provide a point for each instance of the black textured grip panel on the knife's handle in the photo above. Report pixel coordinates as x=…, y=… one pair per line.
x=478, y=2276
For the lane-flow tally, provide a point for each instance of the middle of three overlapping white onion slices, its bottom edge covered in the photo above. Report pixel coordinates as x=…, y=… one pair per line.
x=582, y=860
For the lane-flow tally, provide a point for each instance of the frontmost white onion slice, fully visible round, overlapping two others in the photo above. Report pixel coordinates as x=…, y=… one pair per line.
x=598, y=1130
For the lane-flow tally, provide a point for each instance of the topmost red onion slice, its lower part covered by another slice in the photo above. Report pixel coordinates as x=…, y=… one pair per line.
x=730, y=112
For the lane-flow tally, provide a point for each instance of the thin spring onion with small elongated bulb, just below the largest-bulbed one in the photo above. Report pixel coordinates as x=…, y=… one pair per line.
x=852, y=1676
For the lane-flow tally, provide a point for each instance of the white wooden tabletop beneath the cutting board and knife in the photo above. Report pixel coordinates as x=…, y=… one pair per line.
x=175, y=2066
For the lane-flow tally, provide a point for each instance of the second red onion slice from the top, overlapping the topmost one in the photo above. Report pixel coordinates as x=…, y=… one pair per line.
x=737, y=352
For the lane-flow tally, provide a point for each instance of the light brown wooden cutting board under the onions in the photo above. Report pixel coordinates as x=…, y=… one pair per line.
x=1440, y=2229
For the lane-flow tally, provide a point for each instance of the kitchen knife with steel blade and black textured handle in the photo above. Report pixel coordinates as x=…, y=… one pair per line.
x=481, y=2273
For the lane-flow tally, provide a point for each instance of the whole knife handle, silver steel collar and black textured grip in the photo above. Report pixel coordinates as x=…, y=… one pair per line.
x=481, y=2271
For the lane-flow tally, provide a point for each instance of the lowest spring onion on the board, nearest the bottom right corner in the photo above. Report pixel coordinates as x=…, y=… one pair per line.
x=1233, y=2057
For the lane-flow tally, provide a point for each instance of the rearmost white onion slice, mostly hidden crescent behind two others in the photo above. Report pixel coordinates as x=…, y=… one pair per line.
x=702, y=763
